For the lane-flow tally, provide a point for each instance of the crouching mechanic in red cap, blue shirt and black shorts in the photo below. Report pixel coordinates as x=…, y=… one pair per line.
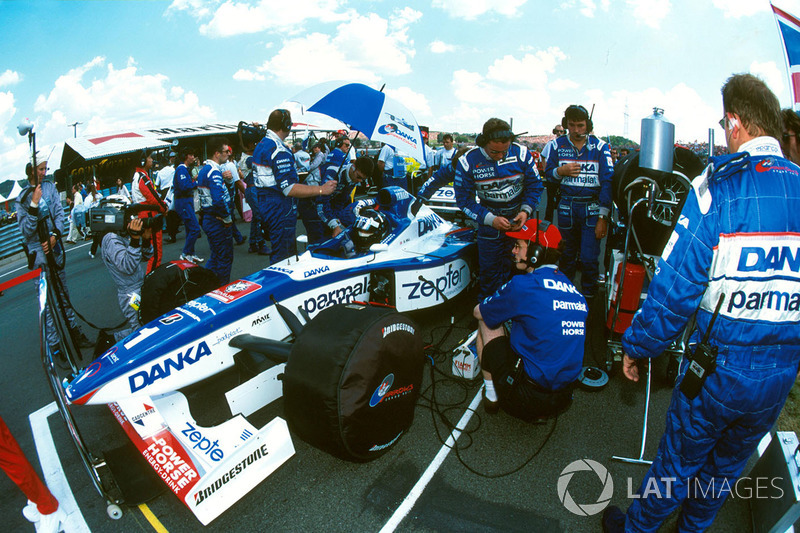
x=530, y=372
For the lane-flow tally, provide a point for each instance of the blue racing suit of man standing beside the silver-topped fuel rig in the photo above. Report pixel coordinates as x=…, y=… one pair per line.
x=583, y=199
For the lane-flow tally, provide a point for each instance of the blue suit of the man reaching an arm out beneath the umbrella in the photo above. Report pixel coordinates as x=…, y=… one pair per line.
x=275, y=175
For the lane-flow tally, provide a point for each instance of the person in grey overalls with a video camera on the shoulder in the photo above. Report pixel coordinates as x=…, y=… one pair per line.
x=123, y=255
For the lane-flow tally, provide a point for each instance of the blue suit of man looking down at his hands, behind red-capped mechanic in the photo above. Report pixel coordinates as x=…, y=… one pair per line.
x=505, y=188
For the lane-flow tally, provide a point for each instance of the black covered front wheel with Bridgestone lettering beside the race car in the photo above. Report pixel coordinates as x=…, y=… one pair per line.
x=353, y=379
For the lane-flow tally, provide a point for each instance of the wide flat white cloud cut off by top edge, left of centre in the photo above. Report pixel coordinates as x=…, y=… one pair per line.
x=236, y=18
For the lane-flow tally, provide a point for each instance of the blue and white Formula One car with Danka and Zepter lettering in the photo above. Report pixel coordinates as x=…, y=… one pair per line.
x=399, y=253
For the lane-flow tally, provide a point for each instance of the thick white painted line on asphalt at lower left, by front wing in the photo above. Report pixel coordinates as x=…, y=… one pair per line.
x=53, y=471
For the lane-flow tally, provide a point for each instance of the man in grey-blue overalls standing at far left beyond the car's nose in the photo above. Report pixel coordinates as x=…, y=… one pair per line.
x=40, y=203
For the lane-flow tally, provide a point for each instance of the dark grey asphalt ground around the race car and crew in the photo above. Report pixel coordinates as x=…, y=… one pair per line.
x=314, y=491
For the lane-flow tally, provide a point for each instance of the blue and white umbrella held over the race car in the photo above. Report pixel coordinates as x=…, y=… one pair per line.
x=370, y=111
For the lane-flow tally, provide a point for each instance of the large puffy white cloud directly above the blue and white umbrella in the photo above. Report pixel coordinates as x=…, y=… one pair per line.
x=363, y=49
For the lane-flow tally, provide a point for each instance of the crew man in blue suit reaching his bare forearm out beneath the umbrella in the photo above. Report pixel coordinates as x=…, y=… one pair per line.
x=276, y=179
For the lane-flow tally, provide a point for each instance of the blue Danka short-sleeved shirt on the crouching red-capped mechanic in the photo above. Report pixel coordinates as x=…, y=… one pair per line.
x=549, y=324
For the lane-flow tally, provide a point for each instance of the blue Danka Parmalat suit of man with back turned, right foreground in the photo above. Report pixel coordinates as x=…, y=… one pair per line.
x=738, y=236
